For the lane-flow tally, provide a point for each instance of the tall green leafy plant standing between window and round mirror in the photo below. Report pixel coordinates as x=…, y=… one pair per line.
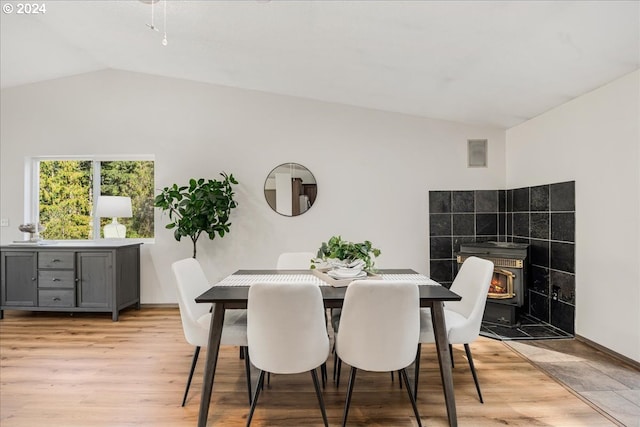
x=204, y=206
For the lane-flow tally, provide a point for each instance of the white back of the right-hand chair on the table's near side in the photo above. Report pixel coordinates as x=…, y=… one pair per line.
x=379, y=325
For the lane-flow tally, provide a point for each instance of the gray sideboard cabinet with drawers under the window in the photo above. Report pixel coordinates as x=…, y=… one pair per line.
x=100, y=276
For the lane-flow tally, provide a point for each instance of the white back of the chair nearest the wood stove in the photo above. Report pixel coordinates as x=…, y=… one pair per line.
x=472, y=284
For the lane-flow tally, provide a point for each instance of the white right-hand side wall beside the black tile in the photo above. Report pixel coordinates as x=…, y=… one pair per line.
x=594, y=140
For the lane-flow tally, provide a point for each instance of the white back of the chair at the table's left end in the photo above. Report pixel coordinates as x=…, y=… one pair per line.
x=191, y=282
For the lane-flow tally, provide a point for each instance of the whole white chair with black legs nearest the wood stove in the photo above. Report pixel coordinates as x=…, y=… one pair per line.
x=463, y=318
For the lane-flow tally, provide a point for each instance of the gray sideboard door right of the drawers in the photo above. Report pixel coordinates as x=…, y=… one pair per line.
x=95, y=279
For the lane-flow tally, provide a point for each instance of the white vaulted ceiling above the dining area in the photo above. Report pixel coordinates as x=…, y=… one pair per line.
x=495, y=63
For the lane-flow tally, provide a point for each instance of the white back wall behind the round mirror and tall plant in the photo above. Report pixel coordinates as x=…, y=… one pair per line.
x=374, y=169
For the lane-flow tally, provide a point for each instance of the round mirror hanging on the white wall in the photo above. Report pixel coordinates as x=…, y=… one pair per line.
x=290, y=189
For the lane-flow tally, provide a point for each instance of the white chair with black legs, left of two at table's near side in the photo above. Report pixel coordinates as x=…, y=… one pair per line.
x=286, y=331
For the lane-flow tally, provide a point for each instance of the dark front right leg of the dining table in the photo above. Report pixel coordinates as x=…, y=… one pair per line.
x=444, y=359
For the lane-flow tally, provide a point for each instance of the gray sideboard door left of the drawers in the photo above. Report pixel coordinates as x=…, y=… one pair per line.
x=19, y=279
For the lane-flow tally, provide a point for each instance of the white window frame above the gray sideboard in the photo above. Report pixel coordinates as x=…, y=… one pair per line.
x=32, y=188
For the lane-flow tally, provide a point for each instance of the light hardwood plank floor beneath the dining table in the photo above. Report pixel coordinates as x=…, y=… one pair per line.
x=85, y=370
